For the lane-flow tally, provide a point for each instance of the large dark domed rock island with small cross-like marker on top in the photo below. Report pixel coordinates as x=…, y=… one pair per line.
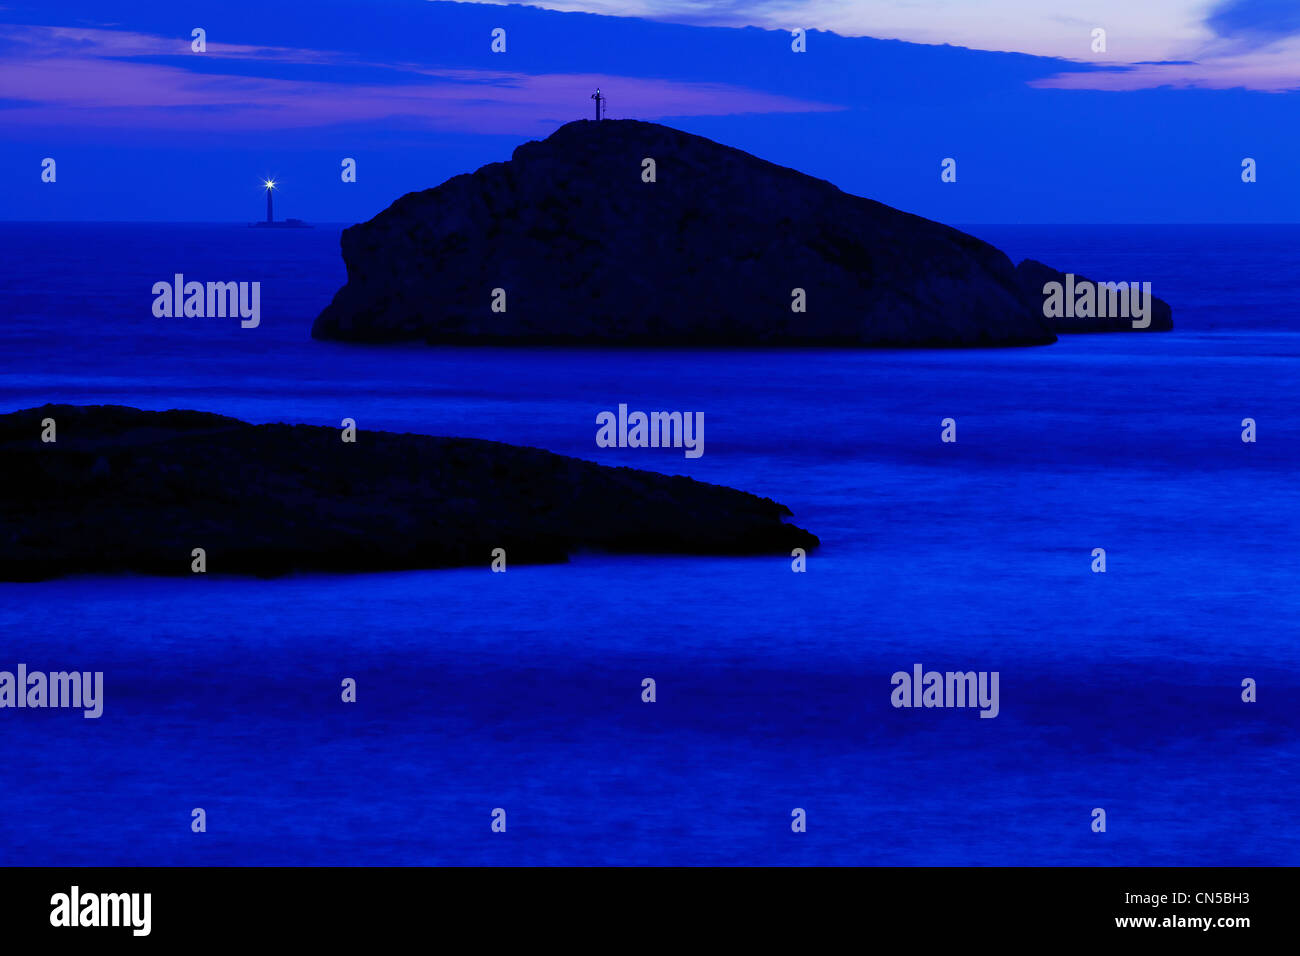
x=709, y=254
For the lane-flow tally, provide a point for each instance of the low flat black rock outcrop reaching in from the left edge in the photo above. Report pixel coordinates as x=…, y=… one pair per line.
x=125, y=490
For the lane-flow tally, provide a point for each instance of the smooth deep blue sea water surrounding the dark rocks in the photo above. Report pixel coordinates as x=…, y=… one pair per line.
x=522, y=691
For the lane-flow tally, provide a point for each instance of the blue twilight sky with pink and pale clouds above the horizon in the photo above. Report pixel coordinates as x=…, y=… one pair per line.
x=1043, y=128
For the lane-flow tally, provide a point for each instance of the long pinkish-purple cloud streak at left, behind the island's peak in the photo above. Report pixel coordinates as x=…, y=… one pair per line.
x=86, y=77
